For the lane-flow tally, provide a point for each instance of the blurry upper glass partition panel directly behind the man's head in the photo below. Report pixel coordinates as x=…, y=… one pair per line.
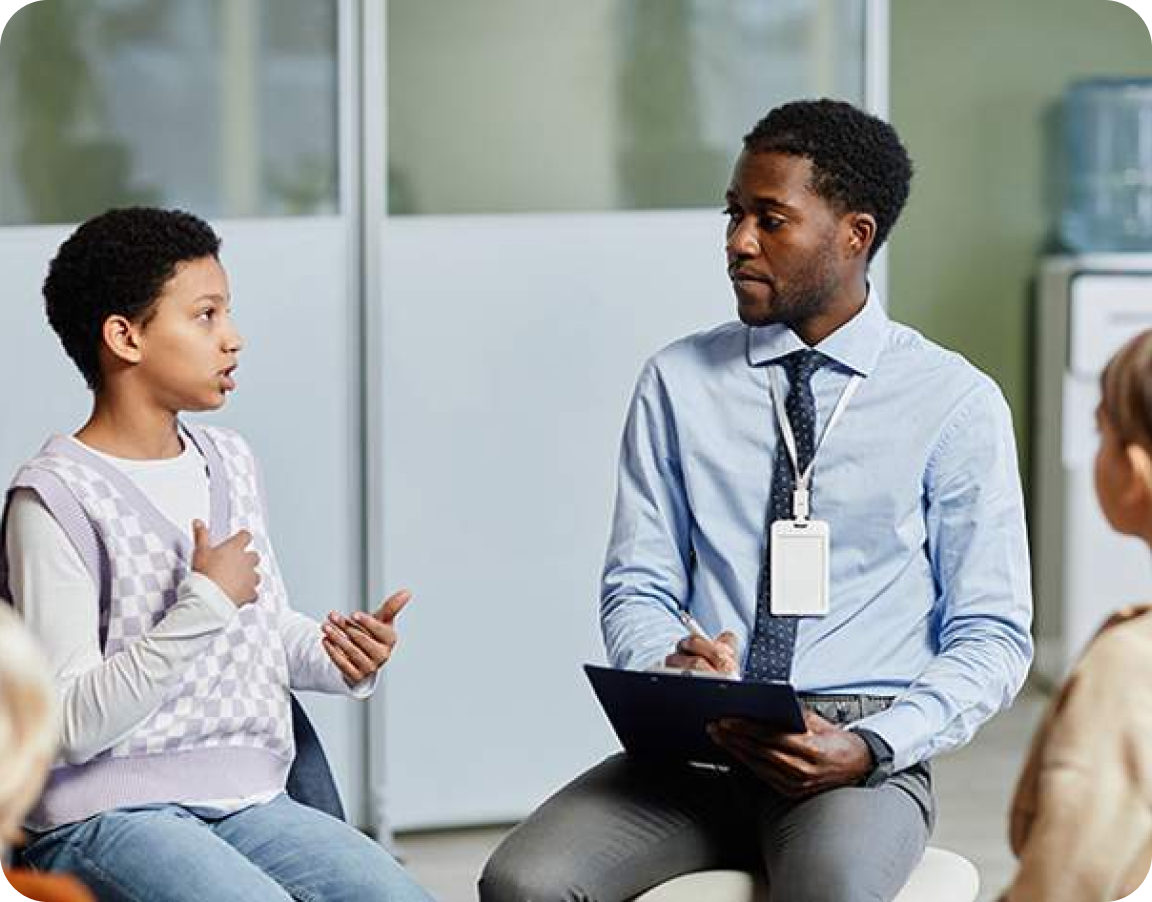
x=554, y=107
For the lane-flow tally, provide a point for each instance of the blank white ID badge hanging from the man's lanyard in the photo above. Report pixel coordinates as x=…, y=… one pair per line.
x=800, y=569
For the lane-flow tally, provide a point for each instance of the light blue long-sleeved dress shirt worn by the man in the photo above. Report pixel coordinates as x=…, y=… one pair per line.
x=931, y=596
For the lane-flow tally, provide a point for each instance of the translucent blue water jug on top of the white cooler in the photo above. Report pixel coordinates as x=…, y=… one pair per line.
x=1109, y=165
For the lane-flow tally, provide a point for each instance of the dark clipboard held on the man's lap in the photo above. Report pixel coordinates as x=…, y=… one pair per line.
x=665, y=716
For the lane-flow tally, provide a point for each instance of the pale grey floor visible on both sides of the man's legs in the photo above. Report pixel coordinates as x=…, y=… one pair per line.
x=974, y=787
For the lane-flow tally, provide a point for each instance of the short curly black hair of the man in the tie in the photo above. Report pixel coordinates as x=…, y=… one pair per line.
x=859, y=162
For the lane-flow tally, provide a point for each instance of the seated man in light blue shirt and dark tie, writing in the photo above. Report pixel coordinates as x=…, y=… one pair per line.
x=913, y=474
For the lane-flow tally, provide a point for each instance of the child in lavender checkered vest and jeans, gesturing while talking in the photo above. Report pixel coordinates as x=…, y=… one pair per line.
x=138, y=551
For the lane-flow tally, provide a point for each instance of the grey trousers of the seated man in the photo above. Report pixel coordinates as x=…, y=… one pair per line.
x=627, y=825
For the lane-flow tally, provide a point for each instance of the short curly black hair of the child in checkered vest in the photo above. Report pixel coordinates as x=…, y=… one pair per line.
x=117, y=264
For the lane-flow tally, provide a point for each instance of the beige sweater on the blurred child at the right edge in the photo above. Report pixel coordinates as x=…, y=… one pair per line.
x=1082, y=816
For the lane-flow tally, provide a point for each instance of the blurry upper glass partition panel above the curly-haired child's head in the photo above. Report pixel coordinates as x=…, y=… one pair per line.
x=226, y=108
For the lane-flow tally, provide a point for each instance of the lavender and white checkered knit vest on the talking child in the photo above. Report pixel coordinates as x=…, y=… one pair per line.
x=225, y=729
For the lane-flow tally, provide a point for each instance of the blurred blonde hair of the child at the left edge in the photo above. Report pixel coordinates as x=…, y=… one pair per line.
x=28, y=723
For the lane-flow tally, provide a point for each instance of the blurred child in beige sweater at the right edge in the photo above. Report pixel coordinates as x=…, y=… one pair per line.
x=1082, y=816
